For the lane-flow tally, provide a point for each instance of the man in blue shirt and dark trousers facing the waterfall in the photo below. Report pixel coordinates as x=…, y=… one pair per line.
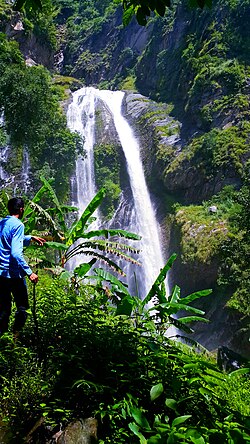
x=13, y=267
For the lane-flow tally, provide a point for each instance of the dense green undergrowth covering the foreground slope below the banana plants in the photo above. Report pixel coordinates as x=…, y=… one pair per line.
x=87, y=361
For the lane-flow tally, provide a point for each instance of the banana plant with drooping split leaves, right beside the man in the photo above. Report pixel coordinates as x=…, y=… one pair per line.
x=78, y=239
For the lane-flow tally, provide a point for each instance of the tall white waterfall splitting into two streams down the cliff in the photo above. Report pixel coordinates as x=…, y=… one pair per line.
x=135, y=214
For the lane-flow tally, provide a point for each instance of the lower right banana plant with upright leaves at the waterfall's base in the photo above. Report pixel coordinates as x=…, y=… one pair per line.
x=164, y=308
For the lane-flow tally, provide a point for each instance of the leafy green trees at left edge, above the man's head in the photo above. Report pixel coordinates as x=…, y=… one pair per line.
x=34, y=119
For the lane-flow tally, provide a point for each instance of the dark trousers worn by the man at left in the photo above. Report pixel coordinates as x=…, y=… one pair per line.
x=16, y=287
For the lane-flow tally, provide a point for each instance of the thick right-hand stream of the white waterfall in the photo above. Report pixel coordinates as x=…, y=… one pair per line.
x=143, y=218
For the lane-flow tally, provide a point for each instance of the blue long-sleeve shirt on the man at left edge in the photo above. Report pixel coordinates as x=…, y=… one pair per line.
x=12, y=241
